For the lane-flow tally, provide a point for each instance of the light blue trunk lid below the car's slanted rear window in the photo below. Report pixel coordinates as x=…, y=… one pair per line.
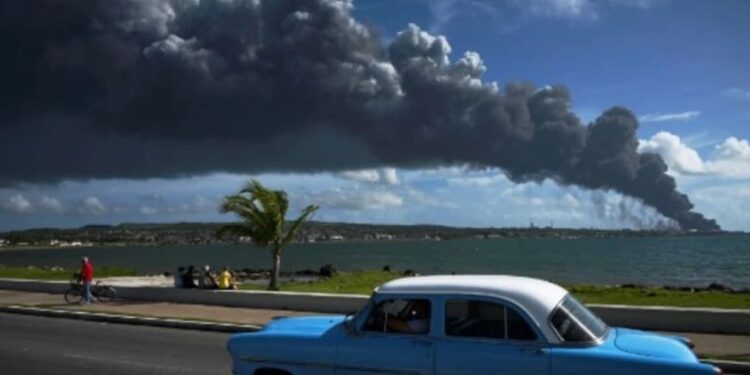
x=653, y=345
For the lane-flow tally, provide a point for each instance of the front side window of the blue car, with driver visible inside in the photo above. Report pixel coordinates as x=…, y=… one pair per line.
x=400, y=316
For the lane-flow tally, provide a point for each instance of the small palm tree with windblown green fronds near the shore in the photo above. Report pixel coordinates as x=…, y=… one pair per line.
x=263, y=212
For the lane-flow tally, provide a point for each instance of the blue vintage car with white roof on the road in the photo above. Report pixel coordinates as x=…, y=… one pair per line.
x=461, y=325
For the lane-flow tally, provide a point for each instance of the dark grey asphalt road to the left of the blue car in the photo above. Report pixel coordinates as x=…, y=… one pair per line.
x=36, y=345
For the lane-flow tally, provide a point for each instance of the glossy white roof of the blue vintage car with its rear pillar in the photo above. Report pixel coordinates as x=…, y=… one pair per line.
x=536, y=297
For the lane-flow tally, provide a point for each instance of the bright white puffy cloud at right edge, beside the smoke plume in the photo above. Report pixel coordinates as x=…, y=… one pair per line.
x=730, y=159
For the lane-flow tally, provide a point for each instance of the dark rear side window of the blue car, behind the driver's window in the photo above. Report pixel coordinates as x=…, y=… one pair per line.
x=483, y=319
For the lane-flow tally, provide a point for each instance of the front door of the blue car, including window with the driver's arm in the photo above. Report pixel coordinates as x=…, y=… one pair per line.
x=373, y=348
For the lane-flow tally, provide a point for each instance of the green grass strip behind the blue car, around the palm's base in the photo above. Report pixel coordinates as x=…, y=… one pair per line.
x=365, y=282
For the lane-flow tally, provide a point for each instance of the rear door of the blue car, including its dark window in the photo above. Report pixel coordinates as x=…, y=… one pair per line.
x=488, y=336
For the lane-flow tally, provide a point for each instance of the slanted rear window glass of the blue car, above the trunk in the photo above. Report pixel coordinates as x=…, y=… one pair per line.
x=576, y=323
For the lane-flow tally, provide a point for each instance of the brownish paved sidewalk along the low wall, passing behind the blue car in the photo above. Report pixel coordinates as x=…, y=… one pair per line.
x=706, y=344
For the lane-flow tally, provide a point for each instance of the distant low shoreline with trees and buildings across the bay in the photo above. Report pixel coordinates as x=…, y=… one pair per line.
x=205, y=233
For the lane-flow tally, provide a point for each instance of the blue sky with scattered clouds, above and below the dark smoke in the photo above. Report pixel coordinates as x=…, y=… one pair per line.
x=681, y=66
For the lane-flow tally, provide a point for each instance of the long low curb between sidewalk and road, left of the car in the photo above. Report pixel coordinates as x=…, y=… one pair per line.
x=130, y=319
